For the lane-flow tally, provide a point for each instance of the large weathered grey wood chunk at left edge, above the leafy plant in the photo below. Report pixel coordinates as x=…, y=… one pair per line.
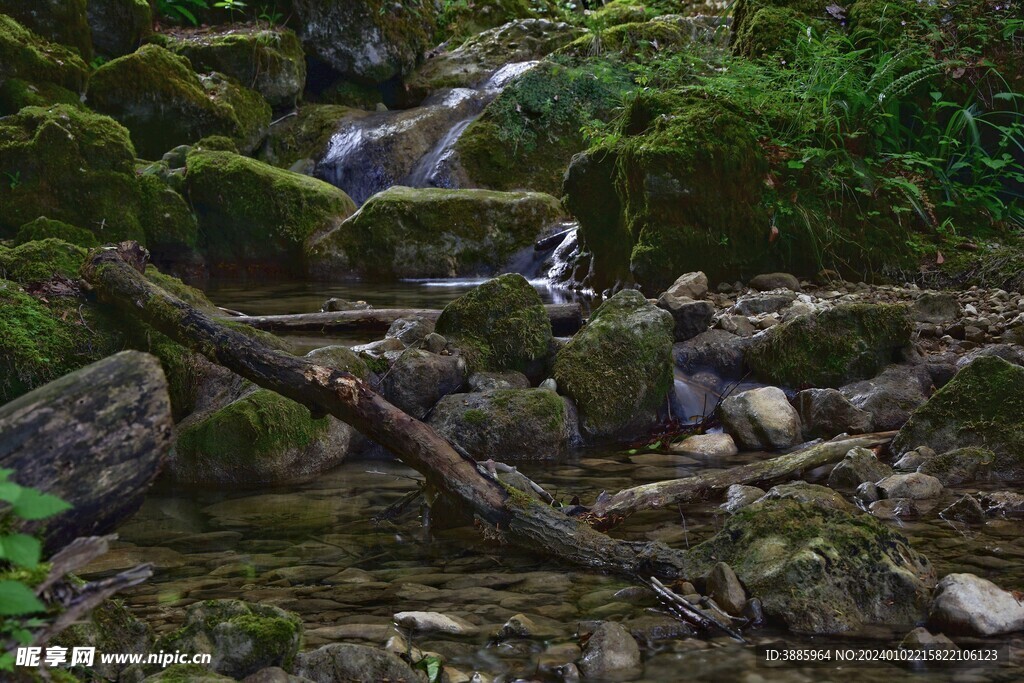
x=96, y=439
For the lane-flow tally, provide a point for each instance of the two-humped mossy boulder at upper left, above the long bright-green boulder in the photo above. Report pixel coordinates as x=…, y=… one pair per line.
x=158, y=97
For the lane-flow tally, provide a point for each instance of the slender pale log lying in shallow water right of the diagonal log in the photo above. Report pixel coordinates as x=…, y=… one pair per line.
x=609, y=510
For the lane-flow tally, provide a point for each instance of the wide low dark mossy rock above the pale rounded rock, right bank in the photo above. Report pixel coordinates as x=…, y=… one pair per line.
x=833, y=348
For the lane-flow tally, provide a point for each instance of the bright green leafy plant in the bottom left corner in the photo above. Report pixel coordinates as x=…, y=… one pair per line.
x=21, y=554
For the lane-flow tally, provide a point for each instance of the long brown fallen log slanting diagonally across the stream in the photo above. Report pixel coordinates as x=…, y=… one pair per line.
x=510, y=516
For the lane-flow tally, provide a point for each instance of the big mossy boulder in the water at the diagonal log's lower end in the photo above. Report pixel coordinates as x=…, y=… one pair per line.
x=822, y=570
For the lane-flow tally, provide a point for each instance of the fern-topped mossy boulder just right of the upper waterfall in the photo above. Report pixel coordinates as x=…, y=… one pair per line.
x=527, y=138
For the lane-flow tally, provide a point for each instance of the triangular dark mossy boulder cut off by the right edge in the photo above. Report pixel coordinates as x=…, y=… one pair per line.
x=980, y=407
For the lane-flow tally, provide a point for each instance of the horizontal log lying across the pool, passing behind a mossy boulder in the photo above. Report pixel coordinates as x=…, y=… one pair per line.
x=566, y=319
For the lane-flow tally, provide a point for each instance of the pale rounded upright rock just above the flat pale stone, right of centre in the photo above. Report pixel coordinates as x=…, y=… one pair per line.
x=761, y=419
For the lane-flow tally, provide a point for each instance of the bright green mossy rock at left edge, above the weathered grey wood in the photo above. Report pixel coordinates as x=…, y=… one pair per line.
x=41, y=340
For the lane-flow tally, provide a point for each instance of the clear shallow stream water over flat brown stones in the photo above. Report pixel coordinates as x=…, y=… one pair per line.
x=316, y=549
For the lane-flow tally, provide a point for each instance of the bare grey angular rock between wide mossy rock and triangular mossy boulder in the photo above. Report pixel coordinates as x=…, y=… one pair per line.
x=892, y=397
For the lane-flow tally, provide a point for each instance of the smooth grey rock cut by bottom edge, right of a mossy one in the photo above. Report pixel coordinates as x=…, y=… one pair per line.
x=344, y=662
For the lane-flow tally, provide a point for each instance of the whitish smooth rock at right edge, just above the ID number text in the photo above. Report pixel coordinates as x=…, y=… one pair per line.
x=971, y=606
